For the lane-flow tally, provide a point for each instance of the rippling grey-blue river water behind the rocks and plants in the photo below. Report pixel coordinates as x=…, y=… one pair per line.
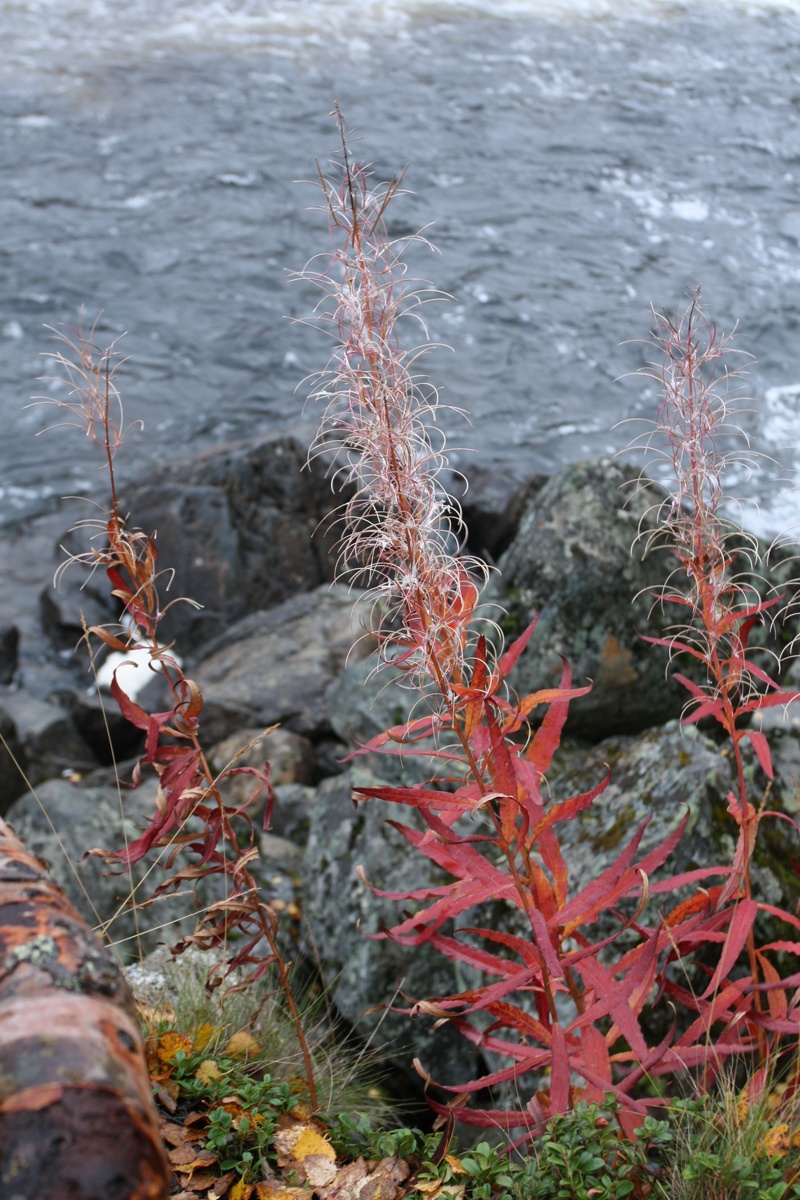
x=574, y=163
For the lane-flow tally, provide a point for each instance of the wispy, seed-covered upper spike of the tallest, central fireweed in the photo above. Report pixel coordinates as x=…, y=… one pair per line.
x=400, y=530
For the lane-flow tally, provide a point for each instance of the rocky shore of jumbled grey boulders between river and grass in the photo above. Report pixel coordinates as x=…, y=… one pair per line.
x=249, y=536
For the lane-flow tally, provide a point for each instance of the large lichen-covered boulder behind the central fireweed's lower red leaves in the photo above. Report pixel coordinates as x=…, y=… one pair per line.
x=664, y=775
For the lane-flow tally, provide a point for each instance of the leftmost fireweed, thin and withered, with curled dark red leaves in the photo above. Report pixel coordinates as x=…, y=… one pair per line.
x=221, y=839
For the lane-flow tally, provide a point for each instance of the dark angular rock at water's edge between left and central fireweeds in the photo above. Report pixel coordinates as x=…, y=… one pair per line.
x=240, y=529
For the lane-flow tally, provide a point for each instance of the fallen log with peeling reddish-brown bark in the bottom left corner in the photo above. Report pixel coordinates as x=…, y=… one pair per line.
x=77, y=1120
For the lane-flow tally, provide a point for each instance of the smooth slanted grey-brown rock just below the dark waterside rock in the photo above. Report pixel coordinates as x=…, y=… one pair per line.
x=274, y=668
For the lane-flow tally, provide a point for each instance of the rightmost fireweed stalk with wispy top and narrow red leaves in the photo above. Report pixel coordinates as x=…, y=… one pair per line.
x=714, y=583
